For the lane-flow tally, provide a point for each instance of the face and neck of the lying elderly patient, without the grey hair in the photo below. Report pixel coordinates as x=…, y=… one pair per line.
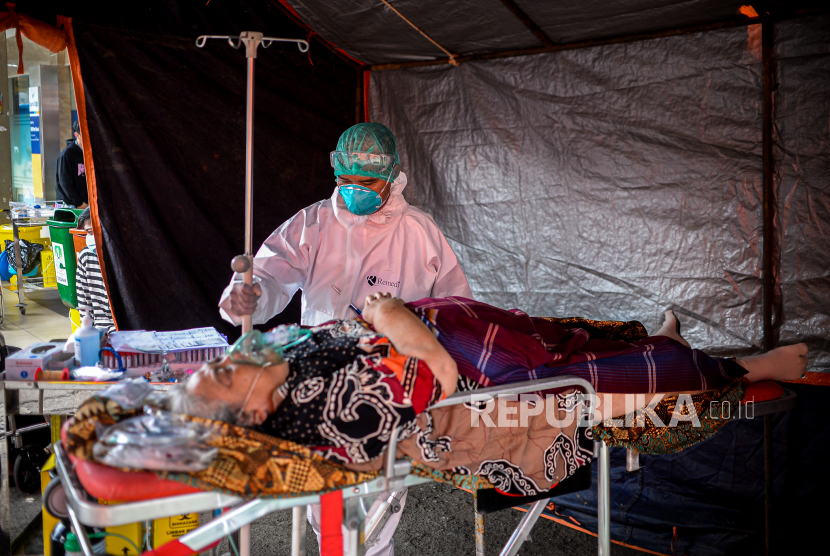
x=230, y=382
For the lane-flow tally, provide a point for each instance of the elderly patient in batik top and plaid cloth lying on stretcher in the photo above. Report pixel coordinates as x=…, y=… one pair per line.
x=345, y=388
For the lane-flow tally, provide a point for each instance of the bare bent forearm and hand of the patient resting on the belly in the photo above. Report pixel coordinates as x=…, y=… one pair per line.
x=411, y=337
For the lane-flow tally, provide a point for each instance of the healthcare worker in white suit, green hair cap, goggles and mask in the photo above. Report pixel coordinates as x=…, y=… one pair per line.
x=364, y=239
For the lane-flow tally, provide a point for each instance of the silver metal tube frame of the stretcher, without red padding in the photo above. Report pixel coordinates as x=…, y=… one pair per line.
x=83, y=510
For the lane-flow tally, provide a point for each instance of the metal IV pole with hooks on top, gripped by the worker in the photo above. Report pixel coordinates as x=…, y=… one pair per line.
x=244, y=264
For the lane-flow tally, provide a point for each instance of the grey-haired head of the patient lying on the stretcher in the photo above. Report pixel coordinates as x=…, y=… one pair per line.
x=239, y=393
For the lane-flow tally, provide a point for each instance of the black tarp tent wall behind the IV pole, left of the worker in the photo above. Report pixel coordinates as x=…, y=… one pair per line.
x=167, y=128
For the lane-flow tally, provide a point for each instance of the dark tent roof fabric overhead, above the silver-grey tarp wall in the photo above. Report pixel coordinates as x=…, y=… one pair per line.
x=374, y=34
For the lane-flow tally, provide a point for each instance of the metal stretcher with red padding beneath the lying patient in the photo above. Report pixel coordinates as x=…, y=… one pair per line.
x=153, y=498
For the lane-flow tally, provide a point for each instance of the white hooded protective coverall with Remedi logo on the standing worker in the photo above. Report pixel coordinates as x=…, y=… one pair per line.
x=398, y=249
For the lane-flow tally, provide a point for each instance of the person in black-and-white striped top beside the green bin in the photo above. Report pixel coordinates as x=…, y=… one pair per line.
x=89, y=283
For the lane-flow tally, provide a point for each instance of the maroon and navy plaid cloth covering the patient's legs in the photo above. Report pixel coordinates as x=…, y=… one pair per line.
x=492, y=346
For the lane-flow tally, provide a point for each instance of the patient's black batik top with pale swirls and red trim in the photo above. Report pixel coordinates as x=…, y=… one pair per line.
x=347, y=390
